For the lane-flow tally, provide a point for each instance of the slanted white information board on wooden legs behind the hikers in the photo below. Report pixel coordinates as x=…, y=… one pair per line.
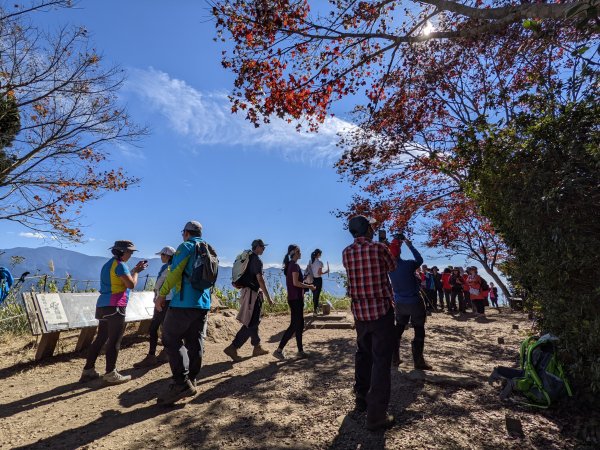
x=50, y=314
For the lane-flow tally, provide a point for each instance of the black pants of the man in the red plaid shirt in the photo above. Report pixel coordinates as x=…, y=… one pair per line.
x=373, y=360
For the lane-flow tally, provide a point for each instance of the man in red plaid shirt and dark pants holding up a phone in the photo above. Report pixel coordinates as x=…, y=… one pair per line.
x=368, y=264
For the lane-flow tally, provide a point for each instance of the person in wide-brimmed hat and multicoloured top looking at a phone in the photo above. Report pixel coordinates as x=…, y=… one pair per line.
x=116, y=281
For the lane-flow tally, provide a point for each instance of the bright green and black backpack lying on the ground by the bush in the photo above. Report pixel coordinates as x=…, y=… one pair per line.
x=541, y=377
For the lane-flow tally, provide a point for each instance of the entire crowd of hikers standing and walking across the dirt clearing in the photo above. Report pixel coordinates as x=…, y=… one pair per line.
x=387, y=293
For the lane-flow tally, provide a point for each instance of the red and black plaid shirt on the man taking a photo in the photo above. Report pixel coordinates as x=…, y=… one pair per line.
x=367, y=264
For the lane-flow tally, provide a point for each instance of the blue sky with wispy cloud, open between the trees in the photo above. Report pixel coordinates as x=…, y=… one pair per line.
x=200, y=162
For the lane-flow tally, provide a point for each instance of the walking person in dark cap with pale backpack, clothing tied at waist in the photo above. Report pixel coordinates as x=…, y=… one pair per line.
x=254, y=289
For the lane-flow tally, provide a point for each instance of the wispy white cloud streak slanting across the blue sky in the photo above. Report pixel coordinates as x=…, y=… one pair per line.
x=206, y=119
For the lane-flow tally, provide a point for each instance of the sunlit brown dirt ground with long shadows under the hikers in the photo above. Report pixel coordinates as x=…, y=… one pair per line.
x=263, y=403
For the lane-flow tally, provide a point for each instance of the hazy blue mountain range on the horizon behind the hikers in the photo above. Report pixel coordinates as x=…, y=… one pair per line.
x=85, y=269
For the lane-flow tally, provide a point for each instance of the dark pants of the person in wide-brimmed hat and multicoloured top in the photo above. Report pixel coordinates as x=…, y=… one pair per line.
x=111, y=326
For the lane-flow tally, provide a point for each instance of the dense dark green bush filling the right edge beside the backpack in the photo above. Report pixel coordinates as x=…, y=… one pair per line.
x=538, y=180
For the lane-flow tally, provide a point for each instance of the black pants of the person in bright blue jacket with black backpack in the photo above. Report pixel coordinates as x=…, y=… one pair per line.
x=184, y=330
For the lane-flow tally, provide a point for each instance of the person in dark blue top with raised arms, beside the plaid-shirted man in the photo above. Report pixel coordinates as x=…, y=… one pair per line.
x=408, y=304
